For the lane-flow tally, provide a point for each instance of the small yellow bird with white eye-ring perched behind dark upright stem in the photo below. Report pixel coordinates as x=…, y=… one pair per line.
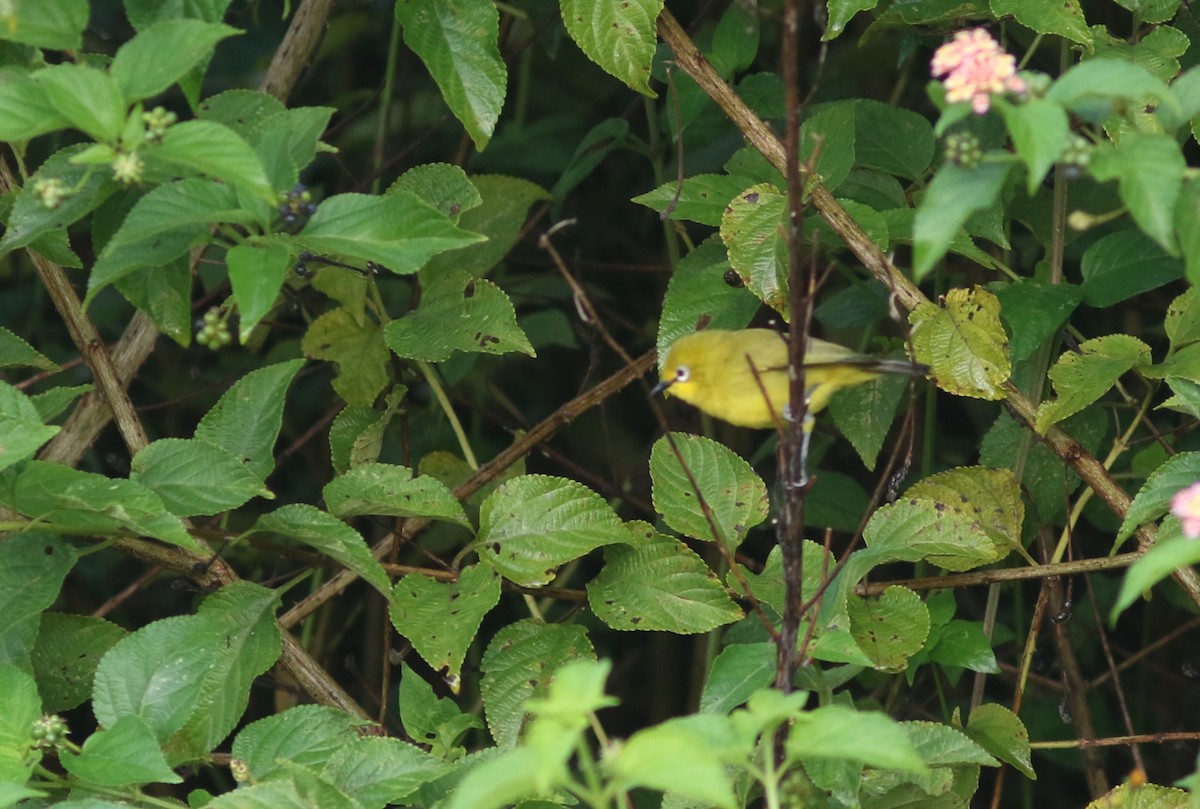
x=725, y=374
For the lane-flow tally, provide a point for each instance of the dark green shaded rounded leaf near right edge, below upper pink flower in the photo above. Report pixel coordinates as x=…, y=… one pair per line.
x=1124, y=265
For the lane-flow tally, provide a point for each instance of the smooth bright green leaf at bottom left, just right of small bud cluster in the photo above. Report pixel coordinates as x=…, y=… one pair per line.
x=121, y=756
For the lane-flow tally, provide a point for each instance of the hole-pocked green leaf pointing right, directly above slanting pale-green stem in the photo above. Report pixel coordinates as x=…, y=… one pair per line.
x=459, y=313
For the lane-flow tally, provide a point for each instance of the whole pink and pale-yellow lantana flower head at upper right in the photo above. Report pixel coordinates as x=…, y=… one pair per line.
x=976, y=68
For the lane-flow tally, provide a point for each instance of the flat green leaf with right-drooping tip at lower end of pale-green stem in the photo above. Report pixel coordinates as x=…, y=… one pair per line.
x=383, y=489
